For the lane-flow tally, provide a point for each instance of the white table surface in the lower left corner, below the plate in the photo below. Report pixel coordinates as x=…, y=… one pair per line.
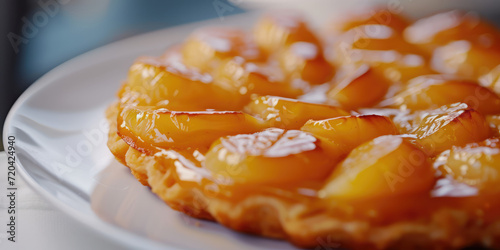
x=40, y=225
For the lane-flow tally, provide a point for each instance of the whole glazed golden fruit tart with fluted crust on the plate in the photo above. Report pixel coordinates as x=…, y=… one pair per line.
x=378, y=132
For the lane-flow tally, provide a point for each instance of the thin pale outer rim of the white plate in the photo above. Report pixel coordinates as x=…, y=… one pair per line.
x=107, y=230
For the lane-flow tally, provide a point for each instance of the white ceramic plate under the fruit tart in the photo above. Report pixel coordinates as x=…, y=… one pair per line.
x=61, y=136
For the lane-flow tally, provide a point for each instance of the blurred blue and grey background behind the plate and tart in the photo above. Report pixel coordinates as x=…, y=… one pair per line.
x=38, y=35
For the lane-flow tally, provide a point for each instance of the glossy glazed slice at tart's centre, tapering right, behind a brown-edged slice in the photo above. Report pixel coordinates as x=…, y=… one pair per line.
x=289, y=113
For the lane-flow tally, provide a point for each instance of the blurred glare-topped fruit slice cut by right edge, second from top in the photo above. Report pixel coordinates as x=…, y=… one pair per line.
x=464, y=59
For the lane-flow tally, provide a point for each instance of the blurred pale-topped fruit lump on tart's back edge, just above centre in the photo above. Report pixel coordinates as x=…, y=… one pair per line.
x=276, y=31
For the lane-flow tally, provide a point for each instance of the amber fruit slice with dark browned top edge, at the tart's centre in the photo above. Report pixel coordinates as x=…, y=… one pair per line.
x=351, y=131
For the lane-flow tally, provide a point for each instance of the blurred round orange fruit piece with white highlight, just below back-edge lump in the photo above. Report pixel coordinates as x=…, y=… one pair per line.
x=302, y=60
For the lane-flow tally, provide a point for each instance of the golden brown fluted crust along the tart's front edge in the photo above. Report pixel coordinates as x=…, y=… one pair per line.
x=273, y=217
